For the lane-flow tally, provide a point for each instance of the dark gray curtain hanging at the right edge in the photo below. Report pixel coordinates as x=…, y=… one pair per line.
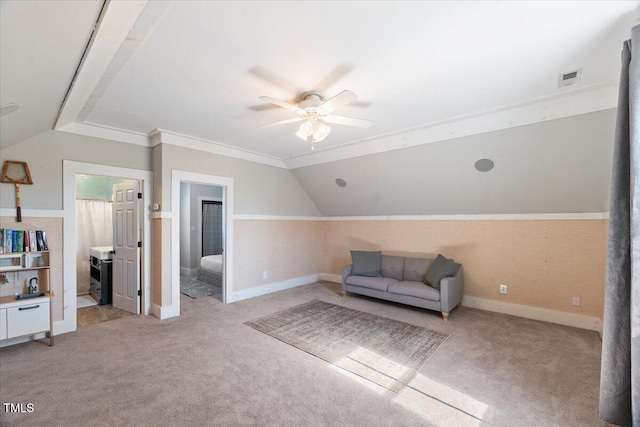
x=620, y=373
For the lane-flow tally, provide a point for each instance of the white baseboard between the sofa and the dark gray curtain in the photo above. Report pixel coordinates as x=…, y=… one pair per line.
x=535, y=313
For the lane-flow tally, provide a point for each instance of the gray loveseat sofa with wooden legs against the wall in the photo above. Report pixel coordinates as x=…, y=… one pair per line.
x=404, y=280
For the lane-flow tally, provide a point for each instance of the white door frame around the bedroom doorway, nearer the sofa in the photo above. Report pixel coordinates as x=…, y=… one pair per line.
x=226, y=183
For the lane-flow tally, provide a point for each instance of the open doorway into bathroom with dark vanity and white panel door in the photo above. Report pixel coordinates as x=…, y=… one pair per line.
x=108, y=259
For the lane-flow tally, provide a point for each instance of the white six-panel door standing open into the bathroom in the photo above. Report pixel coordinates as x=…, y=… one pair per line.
x=126, y=235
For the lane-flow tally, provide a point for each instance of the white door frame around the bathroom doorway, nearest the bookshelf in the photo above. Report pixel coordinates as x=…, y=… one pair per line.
x=70, y=287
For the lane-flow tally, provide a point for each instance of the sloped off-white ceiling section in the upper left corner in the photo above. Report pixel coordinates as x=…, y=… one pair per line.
x=41, y=44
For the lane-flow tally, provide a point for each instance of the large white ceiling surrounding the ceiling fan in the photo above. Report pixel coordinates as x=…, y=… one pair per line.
x=424, y=71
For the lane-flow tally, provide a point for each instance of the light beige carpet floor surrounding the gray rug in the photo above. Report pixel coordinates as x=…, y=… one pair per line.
x=207, y=368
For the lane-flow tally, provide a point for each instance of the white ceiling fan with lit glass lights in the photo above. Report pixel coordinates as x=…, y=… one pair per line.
x=315, y=112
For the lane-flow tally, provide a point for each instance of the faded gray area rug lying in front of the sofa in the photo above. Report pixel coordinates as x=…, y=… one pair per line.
x=385, y=351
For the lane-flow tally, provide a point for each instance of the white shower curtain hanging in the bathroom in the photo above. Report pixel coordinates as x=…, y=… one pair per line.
x=94, y=228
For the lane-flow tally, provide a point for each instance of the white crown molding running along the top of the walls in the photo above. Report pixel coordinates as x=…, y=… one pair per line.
x=566, y=104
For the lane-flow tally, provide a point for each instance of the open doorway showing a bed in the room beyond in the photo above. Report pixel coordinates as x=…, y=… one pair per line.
x=201, y=240
